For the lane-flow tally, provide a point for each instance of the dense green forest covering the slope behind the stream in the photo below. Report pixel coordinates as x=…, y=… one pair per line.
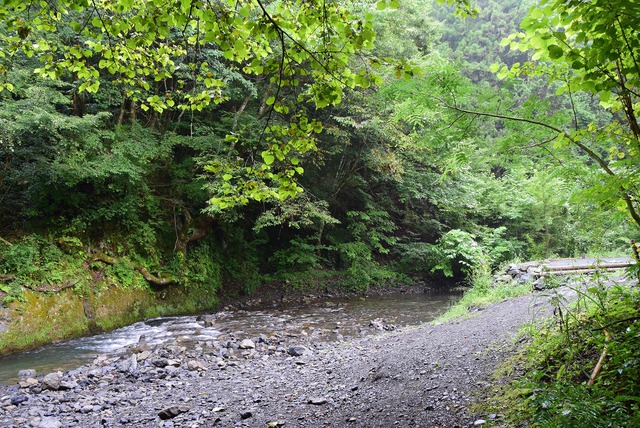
x=207, y=148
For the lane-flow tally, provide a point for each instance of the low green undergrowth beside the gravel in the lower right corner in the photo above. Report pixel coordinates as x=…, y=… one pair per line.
x=582, y=370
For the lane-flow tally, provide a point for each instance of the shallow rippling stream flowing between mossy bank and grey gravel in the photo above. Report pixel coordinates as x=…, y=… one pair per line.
x=326, y=320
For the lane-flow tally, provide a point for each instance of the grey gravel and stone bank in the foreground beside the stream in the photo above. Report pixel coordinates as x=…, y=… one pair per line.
x=421, y=376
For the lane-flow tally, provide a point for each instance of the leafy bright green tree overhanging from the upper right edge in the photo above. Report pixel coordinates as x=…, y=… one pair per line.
x=593, y=49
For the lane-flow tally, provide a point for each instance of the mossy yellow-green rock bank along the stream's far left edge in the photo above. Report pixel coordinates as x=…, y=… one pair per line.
x=40, y=318
